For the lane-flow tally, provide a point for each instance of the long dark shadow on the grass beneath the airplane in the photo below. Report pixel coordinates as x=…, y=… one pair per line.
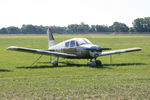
x=80, y=65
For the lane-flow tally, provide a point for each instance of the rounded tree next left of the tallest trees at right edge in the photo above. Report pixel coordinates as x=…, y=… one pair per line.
x=119, y=27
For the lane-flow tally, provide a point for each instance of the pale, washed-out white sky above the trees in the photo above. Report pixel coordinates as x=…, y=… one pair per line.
x=64, y=12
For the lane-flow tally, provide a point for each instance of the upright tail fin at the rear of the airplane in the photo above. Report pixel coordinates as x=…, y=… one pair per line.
x=51, y=40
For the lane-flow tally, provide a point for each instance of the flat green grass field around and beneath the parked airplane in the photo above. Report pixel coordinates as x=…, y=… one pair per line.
x=127, y=77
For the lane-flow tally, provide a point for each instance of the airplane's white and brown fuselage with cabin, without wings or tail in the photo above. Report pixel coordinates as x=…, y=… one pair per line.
x=77, y=46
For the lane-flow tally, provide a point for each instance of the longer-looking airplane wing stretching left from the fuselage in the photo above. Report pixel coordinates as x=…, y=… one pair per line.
x=40, y=51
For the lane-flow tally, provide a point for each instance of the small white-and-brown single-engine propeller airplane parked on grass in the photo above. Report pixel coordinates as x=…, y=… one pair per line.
x=75, y=48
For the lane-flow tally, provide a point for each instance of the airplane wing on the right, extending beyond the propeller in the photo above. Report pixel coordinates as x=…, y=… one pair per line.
x=120, y=51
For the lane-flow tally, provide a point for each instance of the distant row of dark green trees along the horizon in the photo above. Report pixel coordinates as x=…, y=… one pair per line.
x=139, y=25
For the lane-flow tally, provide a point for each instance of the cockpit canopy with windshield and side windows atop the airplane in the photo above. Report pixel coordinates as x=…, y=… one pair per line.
x=77, y=42
